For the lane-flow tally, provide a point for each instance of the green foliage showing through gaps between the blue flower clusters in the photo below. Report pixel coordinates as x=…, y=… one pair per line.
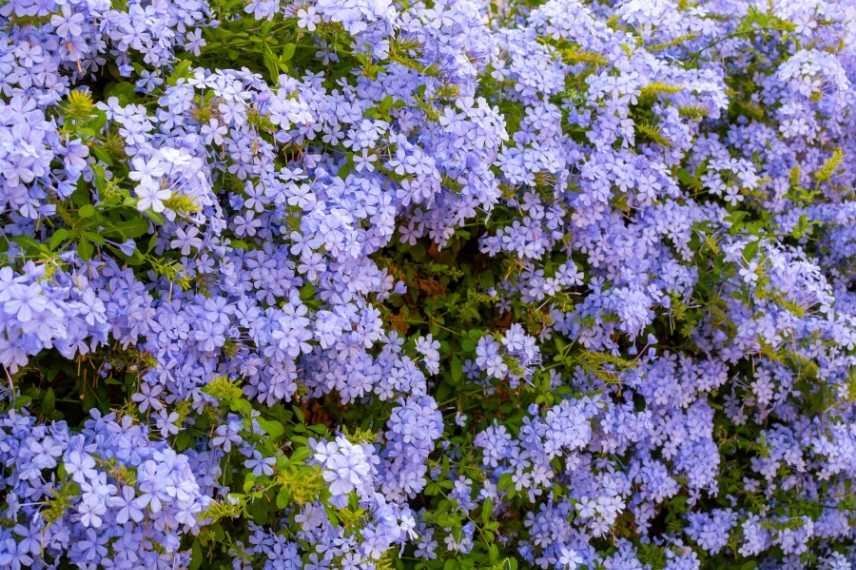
x=450, y=294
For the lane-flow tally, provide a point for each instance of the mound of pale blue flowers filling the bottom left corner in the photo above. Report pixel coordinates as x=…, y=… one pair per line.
x=107, y=495
